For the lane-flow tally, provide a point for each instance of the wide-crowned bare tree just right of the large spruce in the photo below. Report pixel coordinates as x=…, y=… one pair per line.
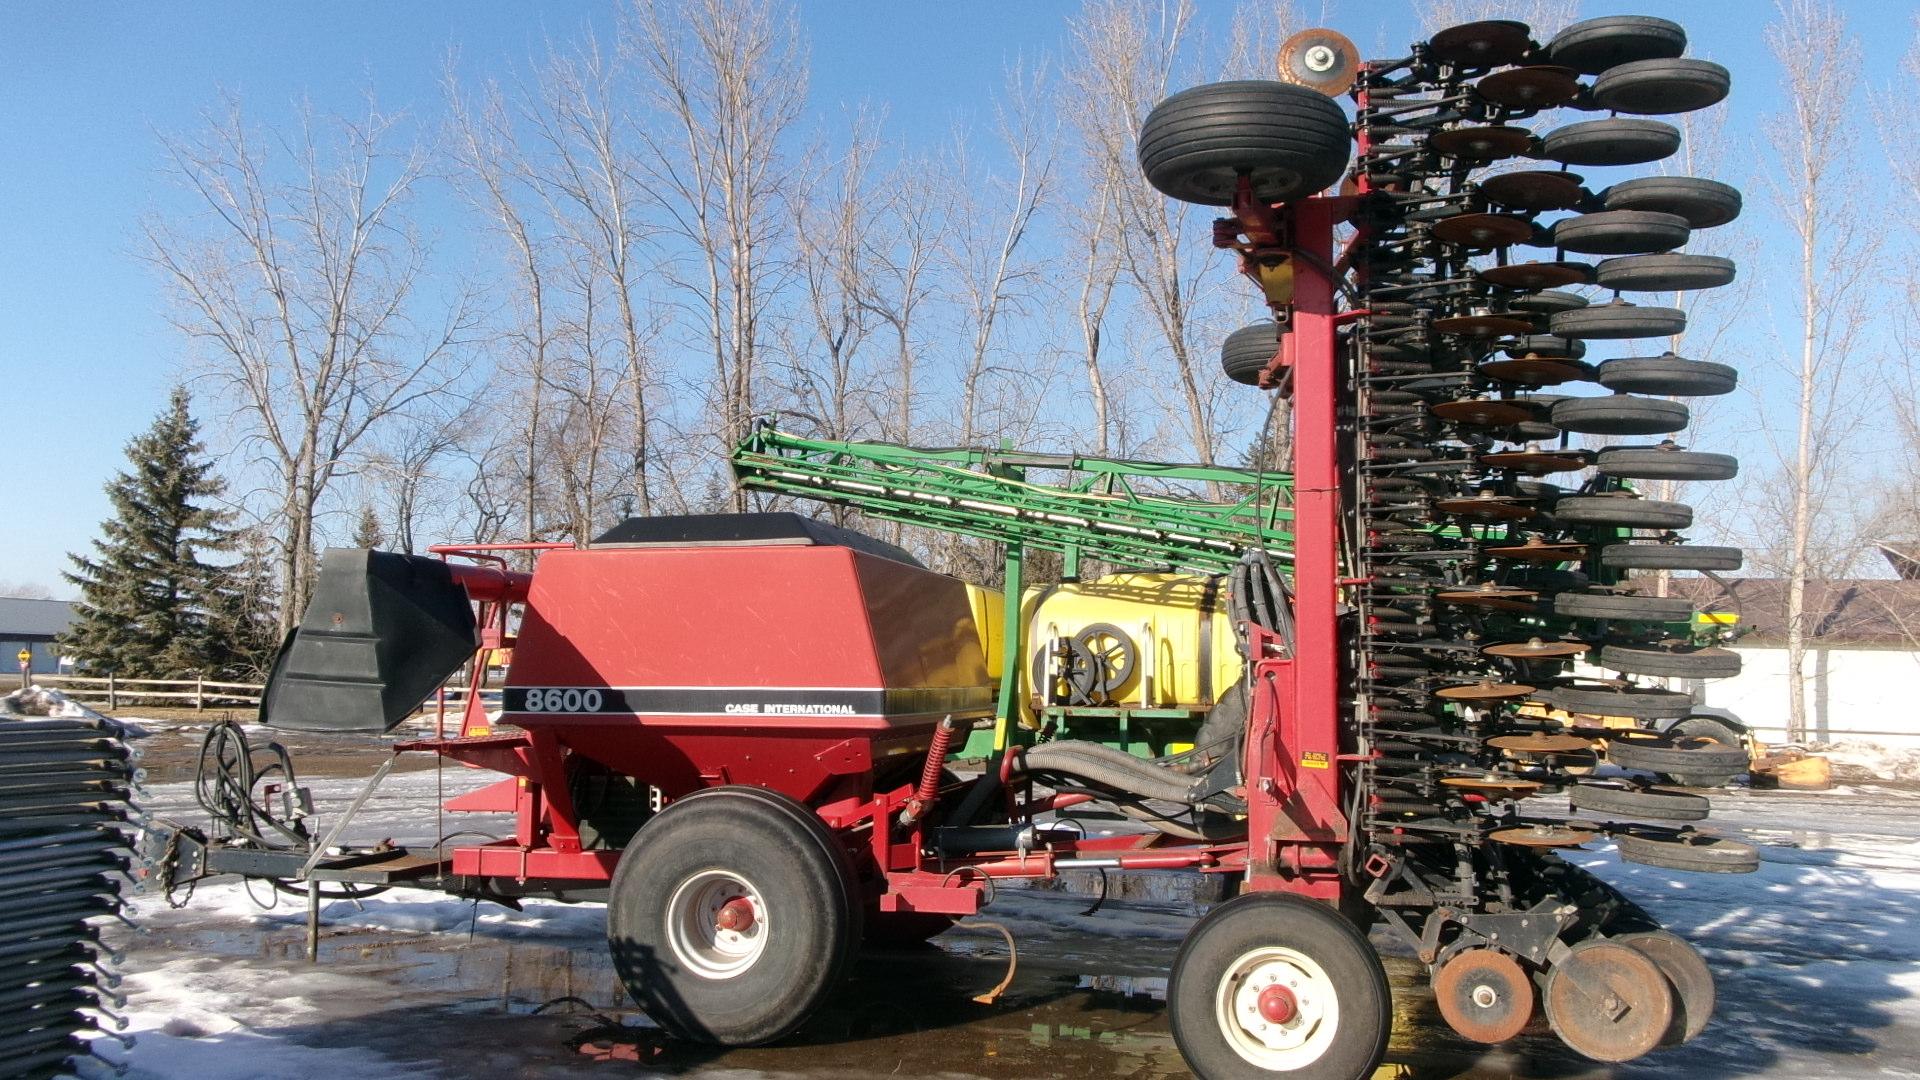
x=299, y=285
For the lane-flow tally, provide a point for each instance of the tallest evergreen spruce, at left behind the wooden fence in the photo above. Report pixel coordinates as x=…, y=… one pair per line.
x=149, y=601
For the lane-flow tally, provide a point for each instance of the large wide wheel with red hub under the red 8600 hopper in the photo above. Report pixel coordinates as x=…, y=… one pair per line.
x=746, y=854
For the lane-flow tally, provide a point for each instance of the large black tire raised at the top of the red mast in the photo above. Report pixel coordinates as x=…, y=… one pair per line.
x=1289, y=139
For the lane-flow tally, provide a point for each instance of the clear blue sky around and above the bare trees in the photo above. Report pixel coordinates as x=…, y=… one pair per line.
x=85, y=349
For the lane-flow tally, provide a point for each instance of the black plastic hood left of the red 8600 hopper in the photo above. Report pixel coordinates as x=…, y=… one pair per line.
x=381, y=635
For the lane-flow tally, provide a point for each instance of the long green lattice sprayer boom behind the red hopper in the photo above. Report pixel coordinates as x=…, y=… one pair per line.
x=1128, y=514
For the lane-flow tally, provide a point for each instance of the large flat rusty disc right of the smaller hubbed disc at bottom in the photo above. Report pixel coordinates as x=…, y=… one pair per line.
x=1610, y=1002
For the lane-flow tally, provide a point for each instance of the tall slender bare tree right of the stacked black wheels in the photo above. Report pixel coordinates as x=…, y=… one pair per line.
x=1813, y=141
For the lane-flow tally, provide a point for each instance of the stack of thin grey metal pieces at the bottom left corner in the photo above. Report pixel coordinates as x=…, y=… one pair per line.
x=64, y=852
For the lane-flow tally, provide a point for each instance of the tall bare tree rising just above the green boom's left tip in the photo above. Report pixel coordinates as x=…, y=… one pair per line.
x=727, y=82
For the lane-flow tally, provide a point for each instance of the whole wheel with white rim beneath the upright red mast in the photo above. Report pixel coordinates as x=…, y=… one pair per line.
x=1260, y=958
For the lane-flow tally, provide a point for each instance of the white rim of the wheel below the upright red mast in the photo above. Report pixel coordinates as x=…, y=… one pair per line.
x=1268, y=1044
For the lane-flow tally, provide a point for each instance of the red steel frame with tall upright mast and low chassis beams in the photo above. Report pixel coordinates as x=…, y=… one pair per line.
x=1297, y=825
